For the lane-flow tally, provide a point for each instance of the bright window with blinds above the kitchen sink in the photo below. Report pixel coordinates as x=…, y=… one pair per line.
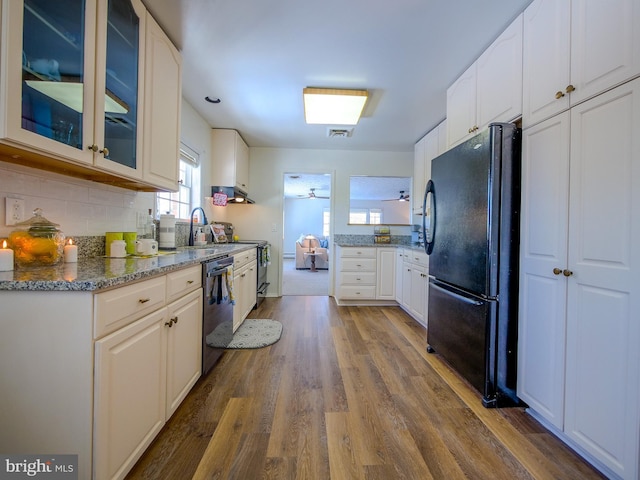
x=182, y=202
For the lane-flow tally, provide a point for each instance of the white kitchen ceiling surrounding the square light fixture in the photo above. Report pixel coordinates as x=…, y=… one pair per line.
x=258, y=55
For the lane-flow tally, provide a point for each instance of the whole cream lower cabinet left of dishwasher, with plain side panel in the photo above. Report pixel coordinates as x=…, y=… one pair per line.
x=111, y=368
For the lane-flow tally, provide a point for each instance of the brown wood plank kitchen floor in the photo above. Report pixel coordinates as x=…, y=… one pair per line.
x=347, y=393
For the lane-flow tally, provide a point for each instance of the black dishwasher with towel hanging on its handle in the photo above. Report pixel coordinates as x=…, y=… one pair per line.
x=217, y=311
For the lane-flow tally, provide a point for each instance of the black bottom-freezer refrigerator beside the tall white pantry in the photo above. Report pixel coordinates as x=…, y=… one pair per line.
x=471, y=229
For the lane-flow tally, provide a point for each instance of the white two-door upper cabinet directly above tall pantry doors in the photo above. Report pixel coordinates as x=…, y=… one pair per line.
x=574, y=50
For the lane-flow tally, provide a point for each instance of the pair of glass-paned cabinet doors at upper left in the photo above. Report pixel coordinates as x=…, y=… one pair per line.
x=70, y=80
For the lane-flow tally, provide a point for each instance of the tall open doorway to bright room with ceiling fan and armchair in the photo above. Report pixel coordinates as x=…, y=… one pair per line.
x=306, y=233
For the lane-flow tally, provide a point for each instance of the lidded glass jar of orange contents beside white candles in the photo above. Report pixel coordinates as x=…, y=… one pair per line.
x=37, y=242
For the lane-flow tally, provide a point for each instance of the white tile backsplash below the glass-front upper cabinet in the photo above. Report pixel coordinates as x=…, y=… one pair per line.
x=81, y=207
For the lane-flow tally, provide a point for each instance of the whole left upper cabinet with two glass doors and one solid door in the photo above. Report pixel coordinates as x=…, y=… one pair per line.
x=72, y=91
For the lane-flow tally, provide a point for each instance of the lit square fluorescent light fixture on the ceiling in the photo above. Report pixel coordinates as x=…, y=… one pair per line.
x=333, y=106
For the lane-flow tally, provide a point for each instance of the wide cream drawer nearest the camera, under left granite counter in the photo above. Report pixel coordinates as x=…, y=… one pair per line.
x=121, y=306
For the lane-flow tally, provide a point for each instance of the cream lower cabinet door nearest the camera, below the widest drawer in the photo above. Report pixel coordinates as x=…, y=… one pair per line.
x=130, y=389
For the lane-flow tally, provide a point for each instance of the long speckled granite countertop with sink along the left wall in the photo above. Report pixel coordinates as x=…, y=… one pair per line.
x=97, y=273
